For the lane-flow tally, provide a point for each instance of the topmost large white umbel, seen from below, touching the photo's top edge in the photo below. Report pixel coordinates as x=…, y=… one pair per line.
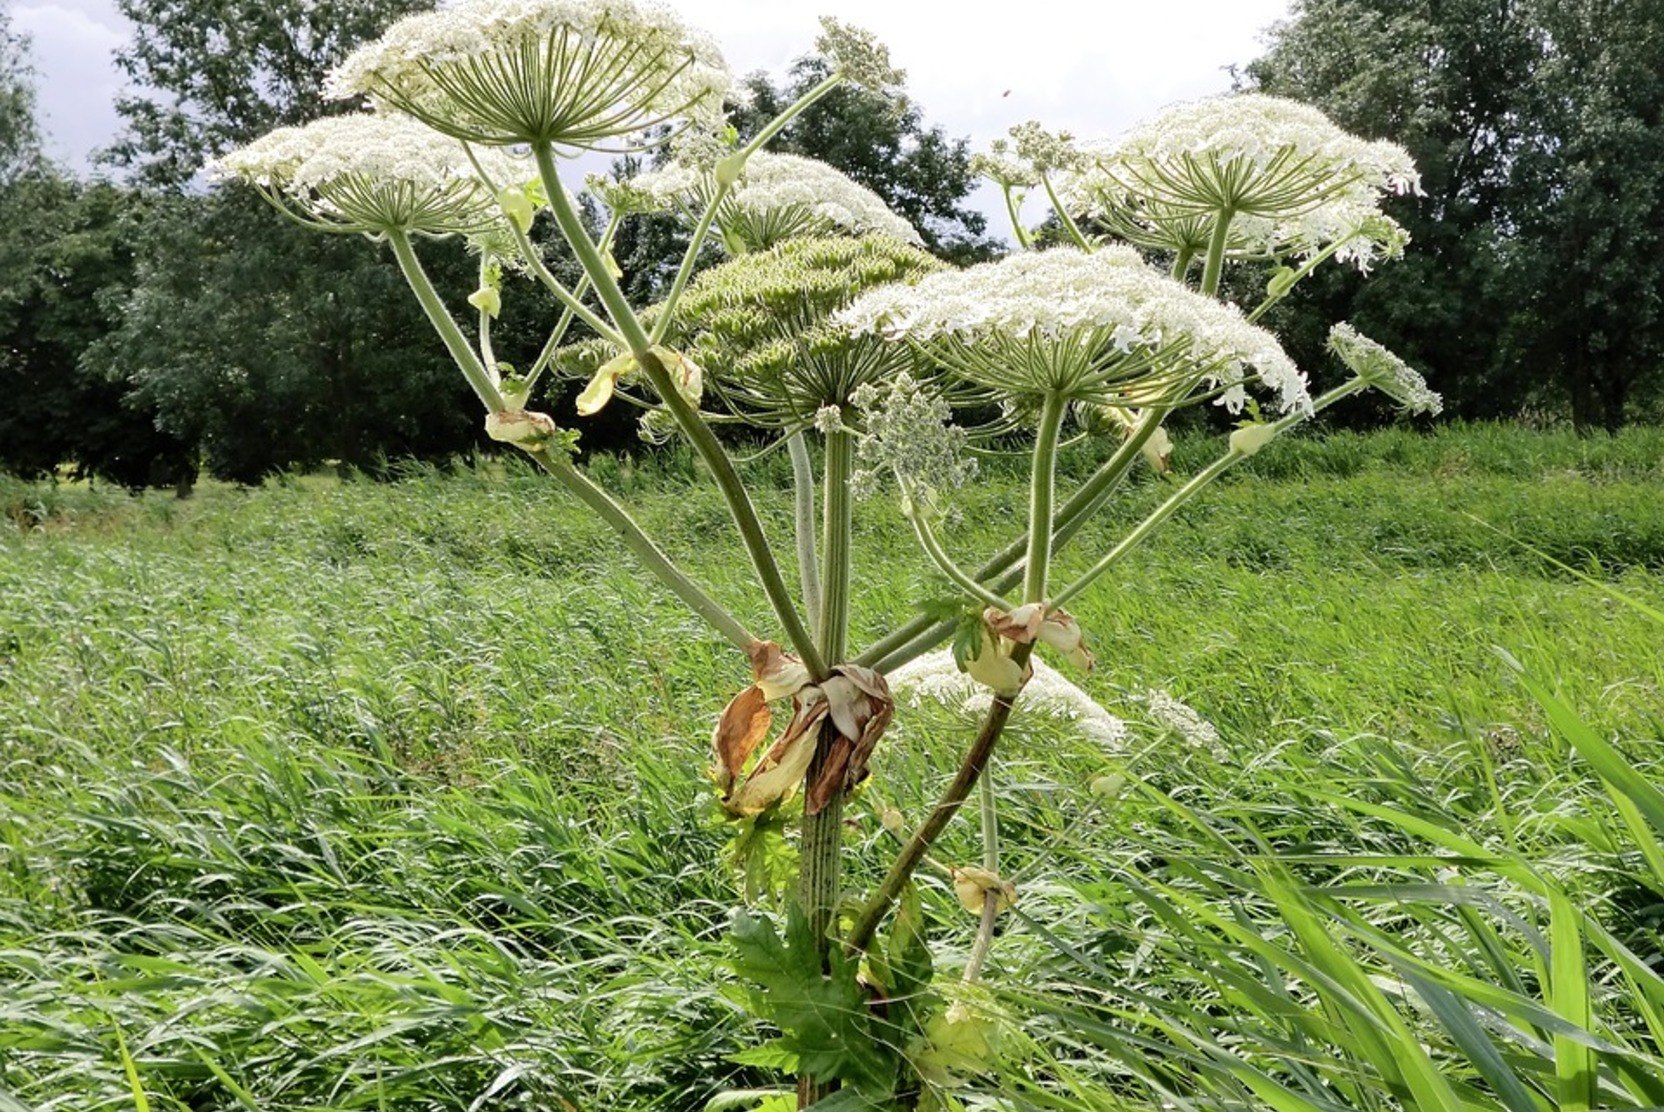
x=577, y=74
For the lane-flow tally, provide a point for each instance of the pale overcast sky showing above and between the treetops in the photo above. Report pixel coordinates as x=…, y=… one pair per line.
x=974, y=67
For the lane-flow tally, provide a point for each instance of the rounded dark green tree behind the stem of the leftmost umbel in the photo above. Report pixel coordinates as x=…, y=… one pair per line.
x=274, y=347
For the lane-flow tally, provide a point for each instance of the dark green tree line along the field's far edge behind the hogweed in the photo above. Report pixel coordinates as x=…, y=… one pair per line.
x=156, y=325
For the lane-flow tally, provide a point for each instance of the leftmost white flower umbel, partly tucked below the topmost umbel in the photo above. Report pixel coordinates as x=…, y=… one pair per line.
x=375, y=174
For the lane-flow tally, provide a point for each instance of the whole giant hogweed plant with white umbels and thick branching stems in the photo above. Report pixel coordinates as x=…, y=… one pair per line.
x=828, y=324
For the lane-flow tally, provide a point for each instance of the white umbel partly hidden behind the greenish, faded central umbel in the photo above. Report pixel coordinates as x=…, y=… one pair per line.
x=778, y=197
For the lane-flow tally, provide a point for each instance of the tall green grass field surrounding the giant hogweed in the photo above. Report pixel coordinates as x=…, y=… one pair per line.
x=392, y=797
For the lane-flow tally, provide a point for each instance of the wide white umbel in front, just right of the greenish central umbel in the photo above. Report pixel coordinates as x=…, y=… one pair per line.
x=1096, y=329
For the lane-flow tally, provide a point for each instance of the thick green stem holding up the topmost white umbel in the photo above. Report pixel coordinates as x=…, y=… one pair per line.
x=698, y=434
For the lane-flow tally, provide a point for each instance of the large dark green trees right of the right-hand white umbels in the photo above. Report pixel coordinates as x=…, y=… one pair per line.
x=1537, y=127
